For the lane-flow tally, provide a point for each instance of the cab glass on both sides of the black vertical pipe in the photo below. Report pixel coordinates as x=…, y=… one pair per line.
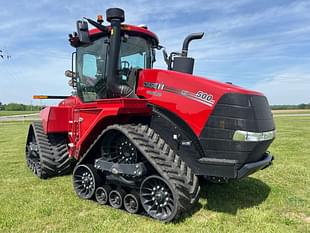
x=135, y=53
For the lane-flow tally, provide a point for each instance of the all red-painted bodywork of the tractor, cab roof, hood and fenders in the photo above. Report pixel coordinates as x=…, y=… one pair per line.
x=83, y=122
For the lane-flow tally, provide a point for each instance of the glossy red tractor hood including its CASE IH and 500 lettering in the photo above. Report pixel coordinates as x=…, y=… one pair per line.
x=191, y=98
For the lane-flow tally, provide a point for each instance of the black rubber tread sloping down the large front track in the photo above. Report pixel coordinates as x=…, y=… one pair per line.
x=166, y=162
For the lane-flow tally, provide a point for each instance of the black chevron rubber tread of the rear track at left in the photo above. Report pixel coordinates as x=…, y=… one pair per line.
x=53, y=152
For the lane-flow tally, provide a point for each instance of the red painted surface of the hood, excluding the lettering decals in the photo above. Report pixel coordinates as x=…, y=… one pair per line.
x=194, y=113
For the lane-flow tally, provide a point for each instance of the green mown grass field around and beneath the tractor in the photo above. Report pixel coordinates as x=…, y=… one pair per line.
x=274, y=200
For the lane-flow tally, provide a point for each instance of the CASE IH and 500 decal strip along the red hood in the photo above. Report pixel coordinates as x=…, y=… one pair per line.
x=200, y=96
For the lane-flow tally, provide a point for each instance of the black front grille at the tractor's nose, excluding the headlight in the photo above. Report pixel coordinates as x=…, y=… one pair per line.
x=233, y=112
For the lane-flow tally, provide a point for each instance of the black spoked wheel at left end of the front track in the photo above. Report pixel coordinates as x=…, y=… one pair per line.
x=85, y=180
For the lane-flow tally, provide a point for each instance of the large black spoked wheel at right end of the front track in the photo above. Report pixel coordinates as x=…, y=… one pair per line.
x=158, y=198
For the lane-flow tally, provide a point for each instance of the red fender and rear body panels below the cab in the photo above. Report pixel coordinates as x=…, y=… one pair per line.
x=83, y=122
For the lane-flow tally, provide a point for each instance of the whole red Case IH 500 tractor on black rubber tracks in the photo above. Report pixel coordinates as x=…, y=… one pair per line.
x=139, y=138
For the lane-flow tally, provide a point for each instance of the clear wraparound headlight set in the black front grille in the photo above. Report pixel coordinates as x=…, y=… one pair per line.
x=245, y=136
